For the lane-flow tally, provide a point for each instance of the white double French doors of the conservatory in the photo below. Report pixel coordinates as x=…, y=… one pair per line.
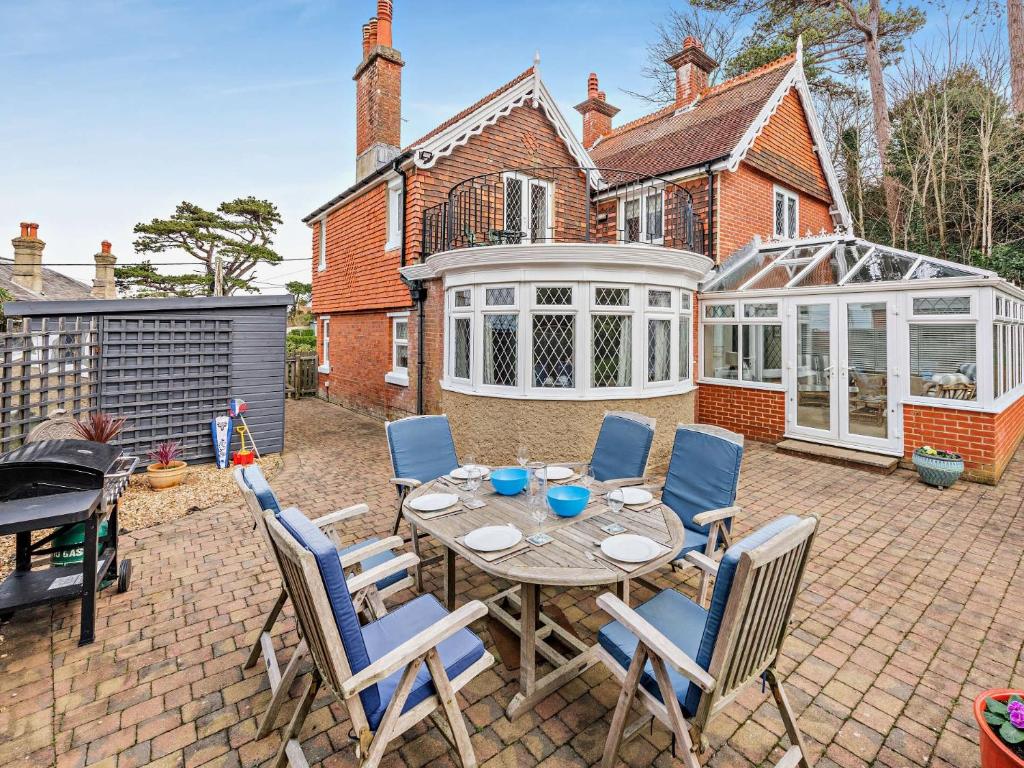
x=843, y=380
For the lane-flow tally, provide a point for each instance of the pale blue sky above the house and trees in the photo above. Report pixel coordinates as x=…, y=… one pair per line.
x=112, y=112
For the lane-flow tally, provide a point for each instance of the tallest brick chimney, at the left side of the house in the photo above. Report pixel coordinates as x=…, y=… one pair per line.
x=378, y=96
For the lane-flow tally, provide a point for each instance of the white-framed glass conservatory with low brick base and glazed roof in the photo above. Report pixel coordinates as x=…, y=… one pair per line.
x=850, y=344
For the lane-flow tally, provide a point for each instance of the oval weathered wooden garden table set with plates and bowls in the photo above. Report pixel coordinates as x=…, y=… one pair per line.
x=573, y=560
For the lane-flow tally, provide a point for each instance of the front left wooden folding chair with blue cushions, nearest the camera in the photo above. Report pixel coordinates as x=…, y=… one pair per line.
x=392, y=673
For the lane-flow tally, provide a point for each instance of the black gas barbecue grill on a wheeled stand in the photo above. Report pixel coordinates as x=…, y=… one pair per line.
x=61, y=485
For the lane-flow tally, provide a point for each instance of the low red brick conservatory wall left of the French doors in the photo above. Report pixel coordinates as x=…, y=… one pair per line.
x=757, y=414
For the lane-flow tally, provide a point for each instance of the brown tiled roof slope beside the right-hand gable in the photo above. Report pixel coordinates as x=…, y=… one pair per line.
x=666, y=142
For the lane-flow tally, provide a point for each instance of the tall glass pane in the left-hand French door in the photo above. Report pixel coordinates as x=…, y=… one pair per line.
x=814, y=373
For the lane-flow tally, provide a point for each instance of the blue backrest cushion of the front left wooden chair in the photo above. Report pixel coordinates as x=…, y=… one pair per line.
x=314, y=540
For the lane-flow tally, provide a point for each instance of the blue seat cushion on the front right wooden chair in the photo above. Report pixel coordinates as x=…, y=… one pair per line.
x=676, y=617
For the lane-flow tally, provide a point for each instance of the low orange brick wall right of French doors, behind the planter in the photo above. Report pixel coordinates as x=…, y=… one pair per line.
x=987, y=442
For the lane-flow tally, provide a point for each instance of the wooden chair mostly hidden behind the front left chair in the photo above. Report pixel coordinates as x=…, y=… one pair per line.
x=382, y=575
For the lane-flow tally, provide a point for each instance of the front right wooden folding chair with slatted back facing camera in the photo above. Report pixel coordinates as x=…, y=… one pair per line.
x=685, y=665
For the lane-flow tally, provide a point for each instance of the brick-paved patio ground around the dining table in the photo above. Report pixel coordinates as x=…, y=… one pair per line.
x=914, y=603
